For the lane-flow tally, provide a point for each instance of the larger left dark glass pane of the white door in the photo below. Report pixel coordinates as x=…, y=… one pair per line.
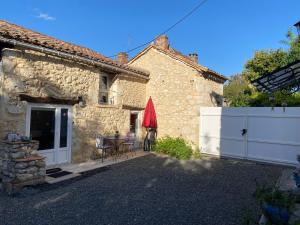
x=42, y=127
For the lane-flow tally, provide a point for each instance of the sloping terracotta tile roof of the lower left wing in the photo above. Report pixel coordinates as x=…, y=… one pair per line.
x=18, y=33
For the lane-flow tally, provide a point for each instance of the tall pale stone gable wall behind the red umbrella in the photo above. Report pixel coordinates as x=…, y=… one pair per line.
x=177, y=91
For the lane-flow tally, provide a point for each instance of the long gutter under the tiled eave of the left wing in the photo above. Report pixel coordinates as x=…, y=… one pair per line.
x=103, y=65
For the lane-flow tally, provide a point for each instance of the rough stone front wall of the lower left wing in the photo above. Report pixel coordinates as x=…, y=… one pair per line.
x=41, y=75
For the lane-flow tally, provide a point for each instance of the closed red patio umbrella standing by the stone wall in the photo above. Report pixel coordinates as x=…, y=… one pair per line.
x=149, y=121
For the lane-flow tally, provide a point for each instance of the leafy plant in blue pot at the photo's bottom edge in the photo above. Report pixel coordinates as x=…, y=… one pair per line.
x=276, y=205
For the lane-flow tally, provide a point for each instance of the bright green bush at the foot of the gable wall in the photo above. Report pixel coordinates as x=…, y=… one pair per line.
x=174, y=147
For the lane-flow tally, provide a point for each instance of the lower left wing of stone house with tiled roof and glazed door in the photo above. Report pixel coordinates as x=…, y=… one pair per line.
x=63, y=94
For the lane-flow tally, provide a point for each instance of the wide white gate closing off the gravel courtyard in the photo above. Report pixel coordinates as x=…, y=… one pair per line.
x=262, y=134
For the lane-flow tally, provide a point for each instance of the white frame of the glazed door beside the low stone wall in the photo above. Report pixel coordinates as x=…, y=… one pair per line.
x=57, y=109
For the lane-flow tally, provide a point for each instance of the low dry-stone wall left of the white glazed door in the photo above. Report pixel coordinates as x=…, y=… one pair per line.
x=20, y=165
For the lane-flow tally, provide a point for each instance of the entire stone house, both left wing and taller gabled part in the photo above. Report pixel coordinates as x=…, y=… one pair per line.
x=63, y=94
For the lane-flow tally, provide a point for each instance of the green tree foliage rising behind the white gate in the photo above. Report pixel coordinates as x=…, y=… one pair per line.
x=239, y=92
